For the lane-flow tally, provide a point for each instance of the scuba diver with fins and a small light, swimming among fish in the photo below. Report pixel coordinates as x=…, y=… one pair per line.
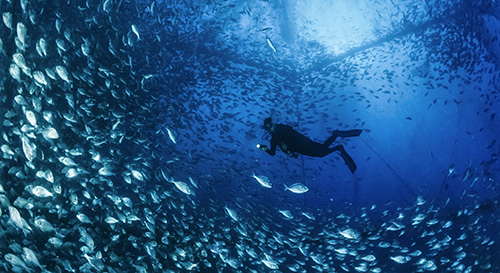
x=292, y=143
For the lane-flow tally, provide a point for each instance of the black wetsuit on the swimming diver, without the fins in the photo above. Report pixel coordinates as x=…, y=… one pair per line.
x=292, y=142
